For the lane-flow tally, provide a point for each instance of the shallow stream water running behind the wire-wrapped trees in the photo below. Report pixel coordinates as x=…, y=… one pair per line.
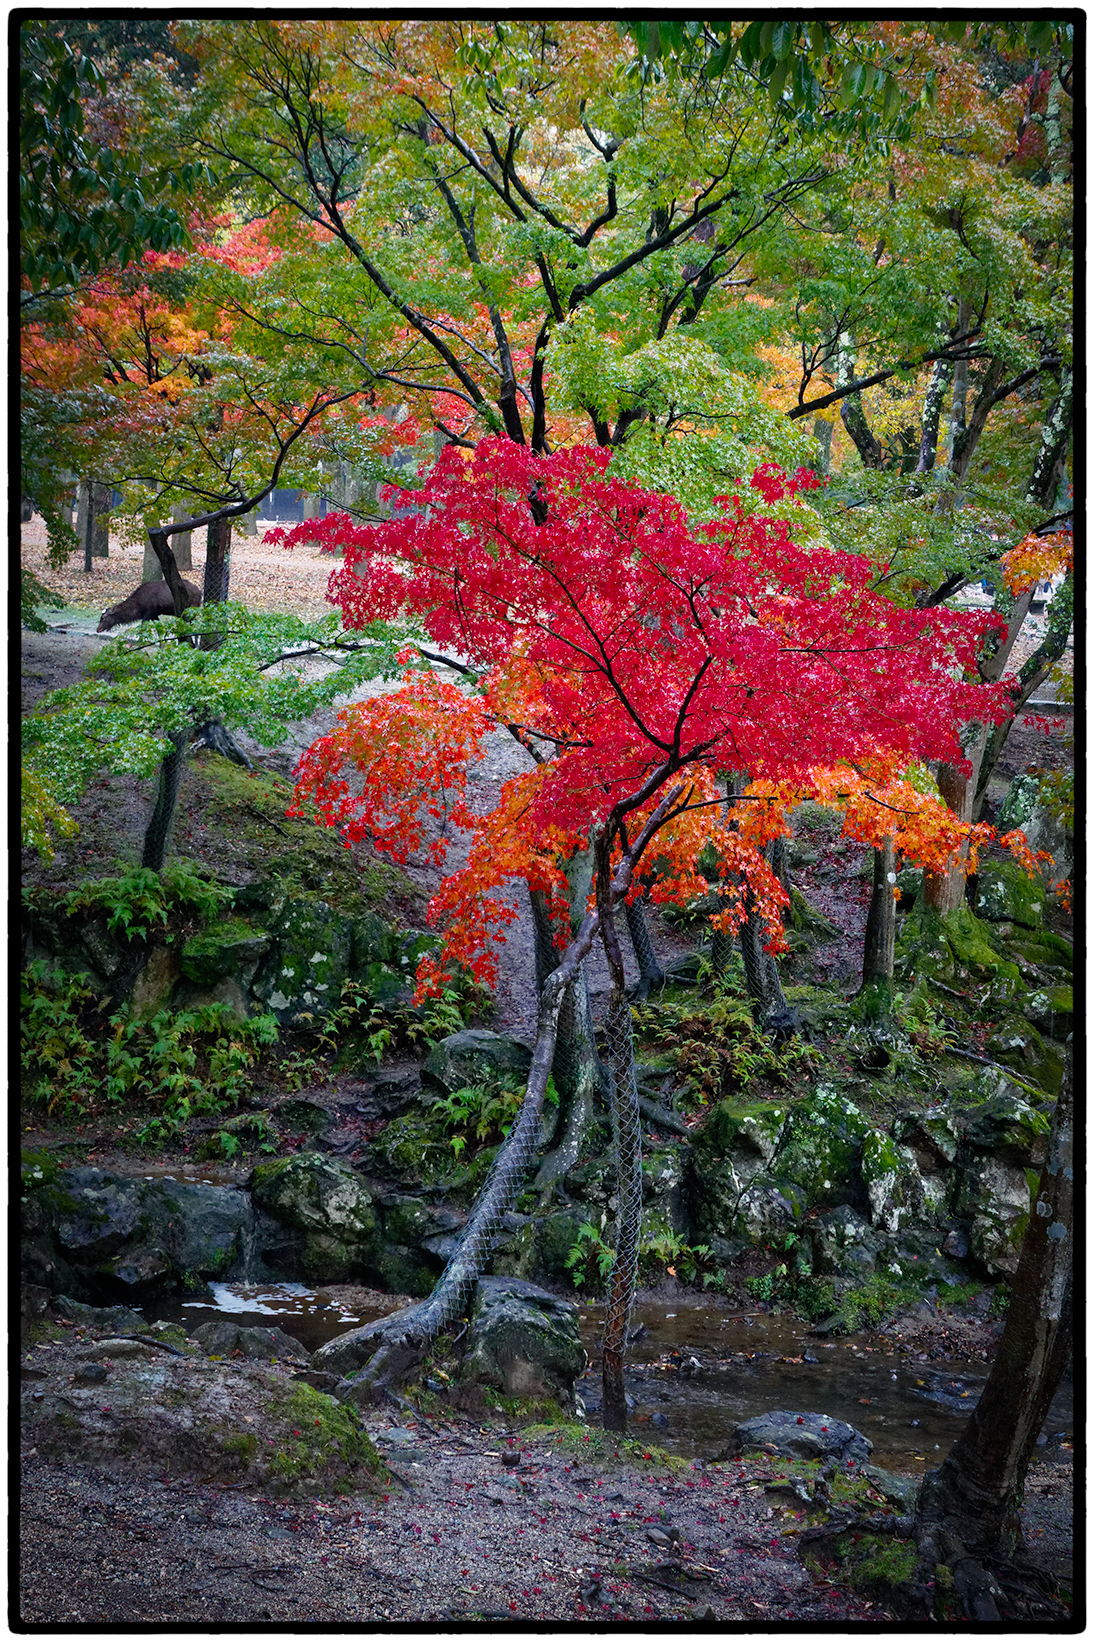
x=694, y=1375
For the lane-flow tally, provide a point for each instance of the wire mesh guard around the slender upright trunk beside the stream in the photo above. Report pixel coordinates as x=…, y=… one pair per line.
x=627, y=1137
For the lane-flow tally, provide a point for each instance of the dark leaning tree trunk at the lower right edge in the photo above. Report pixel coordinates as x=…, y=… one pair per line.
x=968, y=1511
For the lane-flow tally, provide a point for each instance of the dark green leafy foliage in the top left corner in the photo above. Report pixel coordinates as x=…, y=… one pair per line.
x=83, y=203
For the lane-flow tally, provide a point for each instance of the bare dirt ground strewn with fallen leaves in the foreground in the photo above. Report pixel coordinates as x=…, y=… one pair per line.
x=474, y=1526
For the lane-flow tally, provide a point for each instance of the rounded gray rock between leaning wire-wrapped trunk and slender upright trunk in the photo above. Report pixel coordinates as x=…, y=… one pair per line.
x=523, y=1341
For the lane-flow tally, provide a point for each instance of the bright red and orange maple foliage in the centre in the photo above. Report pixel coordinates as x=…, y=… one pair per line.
x=627, y=648
